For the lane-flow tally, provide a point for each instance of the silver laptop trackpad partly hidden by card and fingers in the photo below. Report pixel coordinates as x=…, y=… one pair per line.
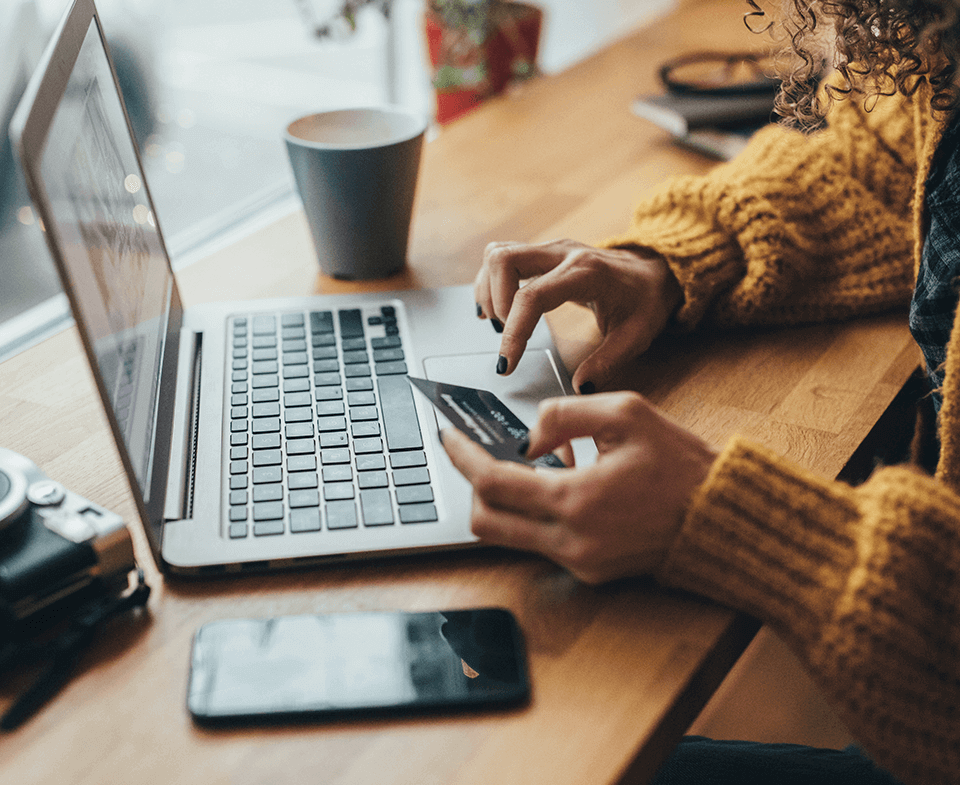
x=536, y=378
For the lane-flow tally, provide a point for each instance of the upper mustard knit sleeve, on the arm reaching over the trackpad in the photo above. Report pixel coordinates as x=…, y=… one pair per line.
x=798, y=228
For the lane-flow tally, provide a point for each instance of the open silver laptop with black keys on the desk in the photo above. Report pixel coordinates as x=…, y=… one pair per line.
x=255, y=435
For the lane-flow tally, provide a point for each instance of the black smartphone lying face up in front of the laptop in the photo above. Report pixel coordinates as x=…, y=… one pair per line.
x=328, y=666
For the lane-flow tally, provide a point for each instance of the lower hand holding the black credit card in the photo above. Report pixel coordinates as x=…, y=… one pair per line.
x=614, y=519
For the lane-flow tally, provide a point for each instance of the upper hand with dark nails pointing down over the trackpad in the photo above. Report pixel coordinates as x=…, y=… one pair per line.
x=631, y=294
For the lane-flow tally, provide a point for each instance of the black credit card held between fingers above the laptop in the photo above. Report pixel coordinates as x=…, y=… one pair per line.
x=484, y=418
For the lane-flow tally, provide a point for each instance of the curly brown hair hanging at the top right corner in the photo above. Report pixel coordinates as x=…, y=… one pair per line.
x=878, y=47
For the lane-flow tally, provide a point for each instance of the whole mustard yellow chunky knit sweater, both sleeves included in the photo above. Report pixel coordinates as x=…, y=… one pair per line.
x=862, y=582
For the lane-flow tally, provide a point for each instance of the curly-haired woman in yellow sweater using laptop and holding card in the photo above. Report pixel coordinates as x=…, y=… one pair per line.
x=858, y=216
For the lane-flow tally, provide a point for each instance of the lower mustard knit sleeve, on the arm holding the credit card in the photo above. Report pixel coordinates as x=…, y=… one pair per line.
x=863, y=583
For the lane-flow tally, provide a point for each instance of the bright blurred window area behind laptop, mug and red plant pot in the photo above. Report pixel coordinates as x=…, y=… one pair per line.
x=209, y=86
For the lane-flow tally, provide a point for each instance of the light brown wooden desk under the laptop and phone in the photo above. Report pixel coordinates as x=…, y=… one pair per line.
x=619, y=671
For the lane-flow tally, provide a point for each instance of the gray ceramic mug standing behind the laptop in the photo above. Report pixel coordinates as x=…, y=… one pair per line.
x=356, y=170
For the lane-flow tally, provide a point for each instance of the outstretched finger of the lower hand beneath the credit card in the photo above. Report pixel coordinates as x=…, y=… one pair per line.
x=501, y=484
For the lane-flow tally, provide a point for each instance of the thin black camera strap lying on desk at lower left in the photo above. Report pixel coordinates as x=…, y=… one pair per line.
x=63, y=652
